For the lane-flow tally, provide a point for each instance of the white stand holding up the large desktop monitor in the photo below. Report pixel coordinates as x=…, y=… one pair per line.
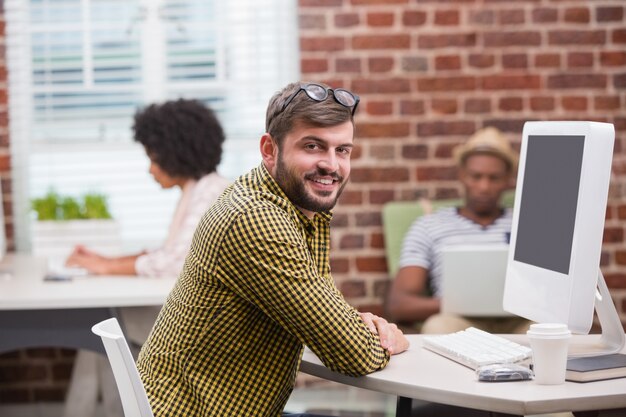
x=611, y=340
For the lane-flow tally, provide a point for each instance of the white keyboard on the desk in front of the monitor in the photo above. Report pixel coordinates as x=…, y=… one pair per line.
x=473, y=348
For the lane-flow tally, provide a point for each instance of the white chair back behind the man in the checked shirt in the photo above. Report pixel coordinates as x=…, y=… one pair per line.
x=132, y=393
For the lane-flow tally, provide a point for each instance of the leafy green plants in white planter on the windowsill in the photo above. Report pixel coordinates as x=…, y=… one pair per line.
x=62, y=222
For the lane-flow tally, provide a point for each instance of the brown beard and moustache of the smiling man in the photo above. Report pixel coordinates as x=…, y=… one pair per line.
x=295, y=189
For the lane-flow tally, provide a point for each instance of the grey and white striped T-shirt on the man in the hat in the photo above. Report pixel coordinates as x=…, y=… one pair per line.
x=429, y=234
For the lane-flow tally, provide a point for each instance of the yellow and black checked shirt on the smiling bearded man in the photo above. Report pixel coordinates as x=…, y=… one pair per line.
x=255, y=288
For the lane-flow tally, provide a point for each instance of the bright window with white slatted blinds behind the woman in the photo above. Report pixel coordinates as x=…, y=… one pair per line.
x=79, y=69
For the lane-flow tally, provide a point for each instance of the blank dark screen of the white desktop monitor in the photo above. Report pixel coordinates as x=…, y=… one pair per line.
x=547, y=211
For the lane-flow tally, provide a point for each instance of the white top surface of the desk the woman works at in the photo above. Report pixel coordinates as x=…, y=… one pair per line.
x=22, y=288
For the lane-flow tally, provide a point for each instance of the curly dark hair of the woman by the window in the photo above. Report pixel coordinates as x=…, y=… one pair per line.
x=183, y=137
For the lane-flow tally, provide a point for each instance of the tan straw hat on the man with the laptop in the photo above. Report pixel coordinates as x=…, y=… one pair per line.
x=488, y=140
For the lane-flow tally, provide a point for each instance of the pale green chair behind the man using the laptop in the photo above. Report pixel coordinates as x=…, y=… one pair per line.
x=399, y=215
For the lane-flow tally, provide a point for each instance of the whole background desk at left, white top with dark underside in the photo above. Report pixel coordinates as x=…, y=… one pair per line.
x=38, y=313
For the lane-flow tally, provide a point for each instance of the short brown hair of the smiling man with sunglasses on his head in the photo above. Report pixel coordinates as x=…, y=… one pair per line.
x=302, y=109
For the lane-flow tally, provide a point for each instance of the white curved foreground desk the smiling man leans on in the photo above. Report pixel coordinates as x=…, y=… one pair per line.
x=424, y=375
